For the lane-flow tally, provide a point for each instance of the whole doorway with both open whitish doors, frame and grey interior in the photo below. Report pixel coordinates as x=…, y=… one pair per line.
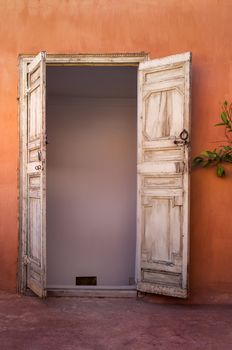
x=78, y=186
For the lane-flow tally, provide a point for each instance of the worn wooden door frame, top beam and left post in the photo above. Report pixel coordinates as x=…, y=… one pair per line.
x=111, y=59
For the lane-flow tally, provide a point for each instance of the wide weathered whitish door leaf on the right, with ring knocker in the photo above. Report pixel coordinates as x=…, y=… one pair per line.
x=163, y=175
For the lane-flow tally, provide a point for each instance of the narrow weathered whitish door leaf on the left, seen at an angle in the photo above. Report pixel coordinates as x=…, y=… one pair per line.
x=35, y=259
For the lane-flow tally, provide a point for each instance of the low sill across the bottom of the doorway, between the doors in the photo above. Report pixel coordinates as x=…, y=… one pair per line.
x=90, y=291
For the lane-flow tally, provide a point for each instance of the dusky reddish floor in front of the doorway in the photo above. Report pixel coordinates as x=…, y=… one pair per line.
x=28, y=323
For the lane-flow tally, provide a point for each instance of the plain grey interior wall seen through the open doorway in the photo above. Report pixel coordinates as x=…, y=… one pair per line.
x=91, y=189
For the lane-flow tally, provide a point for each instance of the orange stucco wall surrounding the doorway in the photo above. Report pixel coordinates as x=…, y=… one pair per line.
x=160, y=28
